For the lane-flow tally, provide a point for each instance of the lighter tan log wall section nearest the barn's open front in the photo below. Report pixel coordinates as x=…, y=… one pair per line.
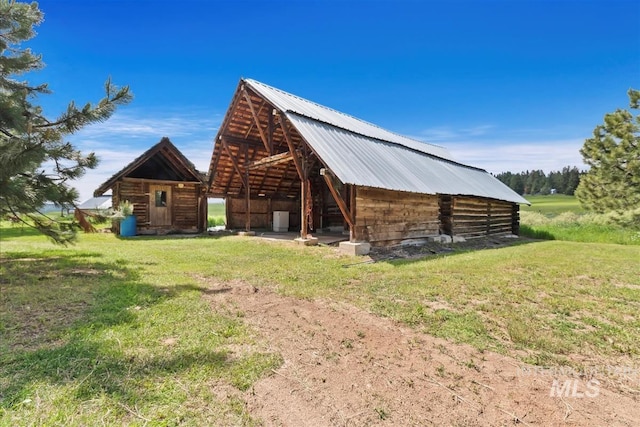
x=385, y=218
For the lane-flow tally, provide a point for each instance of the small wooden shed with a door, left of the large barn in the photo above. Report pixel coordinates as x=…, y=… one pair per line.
x=167, y=192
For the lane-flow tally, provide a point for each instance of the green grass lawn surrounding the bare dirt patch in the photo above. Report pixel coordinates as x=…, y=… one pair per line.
x=116, y=331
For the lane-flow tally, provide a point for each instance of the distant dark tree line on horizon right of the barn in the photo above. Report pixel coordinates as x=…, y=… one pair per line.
x=537, y=182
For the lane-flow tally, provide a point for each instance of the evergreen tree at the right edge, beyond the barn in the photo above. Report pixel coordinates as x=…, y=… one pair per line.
x=613, y=182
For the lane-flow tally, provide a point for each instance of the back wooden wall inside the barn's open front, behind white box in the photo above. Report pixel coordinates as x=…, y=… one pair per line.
x=262, y=209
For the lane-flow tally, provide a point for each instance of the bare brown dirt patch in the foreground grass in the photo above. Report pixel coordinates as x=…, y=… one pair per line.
x=346, y=367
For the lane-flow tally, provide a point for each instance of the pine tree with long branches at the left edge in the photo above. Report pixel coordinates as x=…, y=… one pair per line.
x=36, y=162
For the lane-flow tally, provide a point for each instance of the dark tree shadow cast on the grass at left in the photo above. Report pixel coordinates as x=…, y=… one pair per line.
x=52, y=310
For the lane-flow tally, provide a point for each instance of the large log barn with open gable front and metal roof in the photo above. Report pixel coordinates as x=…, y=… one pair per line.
x=276, y=153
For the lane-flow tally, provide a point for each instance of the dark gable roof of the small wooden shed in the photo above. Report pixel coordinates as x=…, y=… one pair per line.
x=163, y=161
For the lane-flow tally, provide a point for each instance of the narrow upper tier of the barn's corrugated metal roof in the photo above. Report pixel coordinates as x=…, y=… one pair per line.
x=289, y=102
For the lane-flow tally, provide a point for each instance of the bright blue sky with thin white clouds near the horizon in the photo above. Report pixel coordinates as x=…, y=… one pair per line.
x=505, y=85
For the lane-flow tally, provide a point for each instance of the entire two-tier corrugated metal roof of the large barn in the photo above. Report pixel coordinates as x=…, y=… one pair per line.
x=361, y=153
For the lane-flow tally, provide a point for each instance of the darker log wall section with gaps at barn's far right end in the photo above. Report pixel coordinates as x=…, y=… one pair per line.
x=477, y=217
